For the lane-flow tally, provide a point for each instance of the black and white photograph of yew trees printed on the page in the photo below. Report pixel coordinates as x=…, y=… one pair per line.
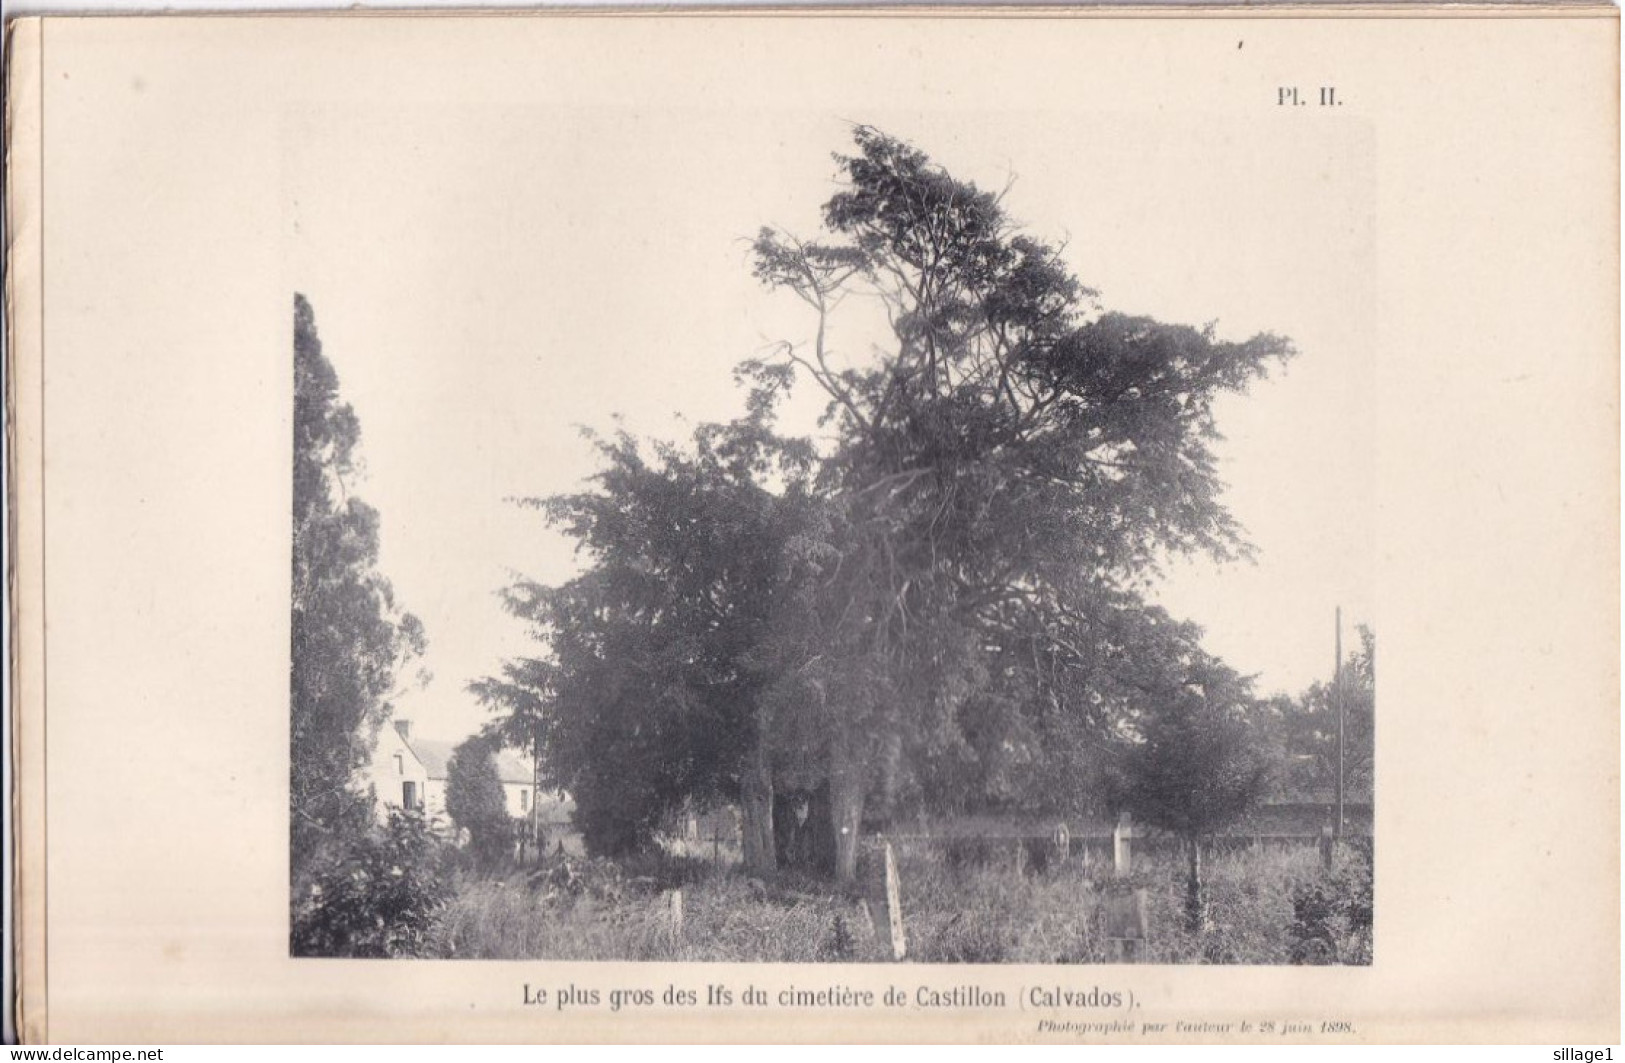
x=787, y=539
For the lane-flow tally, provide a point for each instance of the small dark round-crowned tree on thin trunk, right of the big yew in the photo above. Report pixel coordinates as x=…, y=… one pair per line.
x=1195, y=761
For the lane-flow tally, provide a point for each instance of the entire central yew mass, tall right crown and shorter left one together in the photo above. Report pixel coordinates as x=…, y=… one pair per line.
x=947, y=597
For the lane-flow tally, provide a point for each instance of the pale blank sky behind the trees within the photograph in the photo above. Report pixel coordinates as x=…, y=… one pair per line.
x=488, y=280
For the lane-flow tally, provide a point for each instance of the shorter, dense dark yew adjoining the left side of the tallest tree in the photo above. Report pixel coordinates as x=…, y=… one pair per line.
x=654, y=692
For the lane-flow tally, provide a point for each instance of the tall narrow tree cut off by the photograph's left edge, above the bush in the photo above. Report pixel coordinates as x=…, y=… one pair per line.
x=350, y=640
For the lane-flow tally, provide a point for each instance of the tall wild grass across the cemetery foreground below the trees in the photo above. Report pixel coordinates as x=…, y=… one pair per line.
x=976, y=909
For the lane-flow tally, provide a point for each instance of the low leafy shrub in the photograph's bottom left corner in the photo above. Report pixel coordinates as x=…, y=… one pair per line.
x=376, y=896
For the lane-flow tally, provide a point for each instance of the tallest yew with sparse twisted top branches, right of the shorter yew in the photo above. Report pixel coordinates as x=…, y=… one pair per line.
x=1008, y=469
